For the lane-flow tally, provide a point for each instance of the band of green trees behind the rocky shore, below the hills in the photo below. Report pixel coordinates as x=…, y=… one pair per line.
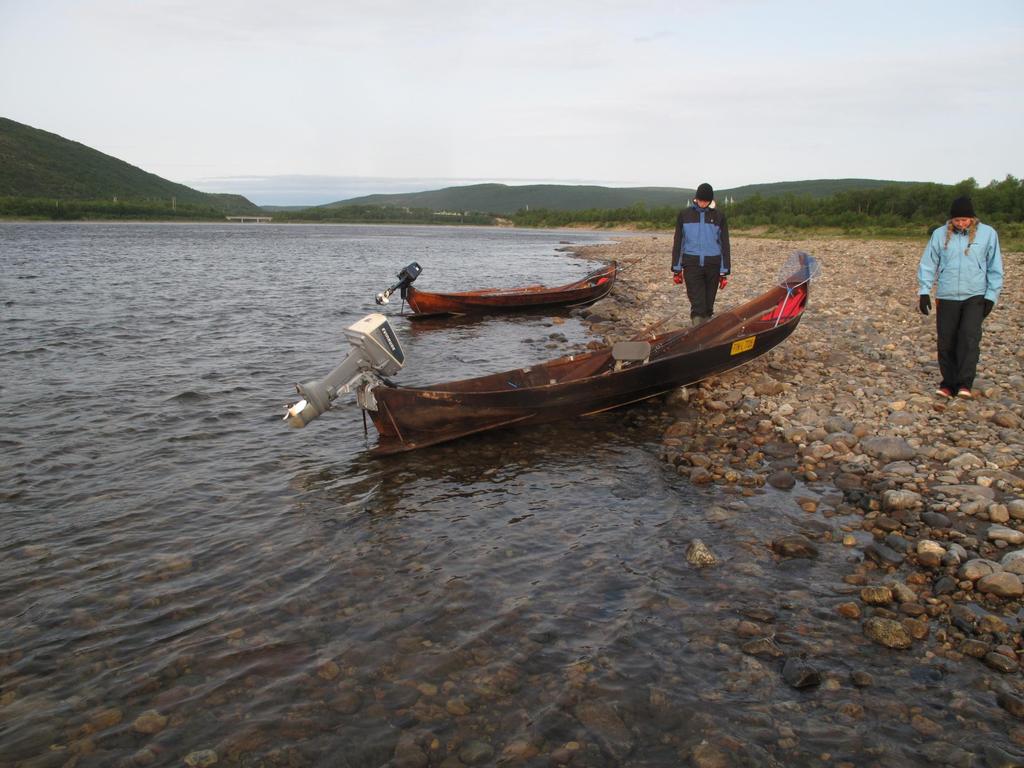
x=899, y=208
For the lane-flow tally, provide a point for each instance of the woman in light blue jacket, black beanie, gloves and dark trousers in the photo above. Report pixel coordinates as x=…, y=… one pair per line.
x=964, y=257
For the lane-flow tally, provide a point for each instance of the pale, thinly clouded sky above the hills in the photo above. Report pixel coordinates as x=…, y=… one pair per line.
x=318, y=101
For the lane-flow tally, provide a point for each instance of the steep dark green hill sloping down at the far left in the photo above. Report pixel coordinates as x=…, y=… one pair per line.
x=38, y=164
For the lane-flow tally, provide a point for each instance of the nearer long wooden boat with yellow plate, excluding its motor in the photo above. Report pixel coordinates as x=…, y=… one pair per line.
x=409, y=418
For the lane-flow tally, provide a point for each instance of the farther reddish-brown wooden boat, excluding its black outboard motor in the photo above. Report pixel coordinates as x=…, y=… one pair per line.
x=586, y=291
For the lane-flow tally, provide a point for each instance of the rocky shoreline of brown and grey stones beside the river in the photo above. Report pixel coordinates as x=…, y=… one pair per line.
x=844, y=414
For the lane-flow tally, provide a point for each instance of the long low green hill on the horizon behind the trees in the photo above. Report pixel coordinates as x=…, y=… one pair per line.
x=502, y=199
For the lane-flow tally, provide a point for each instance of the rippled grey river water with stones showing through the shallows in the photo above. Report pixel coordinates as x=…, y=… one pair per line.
x=185, y=579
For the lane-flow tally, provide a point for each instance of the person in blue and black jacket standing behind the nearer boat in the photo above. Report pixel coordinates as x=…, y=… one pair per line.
x=701, y=253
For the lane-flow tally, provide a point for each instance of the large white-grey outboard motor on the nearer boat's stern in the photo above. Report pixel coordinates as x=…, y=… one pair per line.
x=376, y=353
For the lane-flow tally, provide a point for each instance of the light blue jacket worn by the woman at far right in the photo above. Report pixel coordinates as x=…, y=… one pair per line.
x=961, y=276
